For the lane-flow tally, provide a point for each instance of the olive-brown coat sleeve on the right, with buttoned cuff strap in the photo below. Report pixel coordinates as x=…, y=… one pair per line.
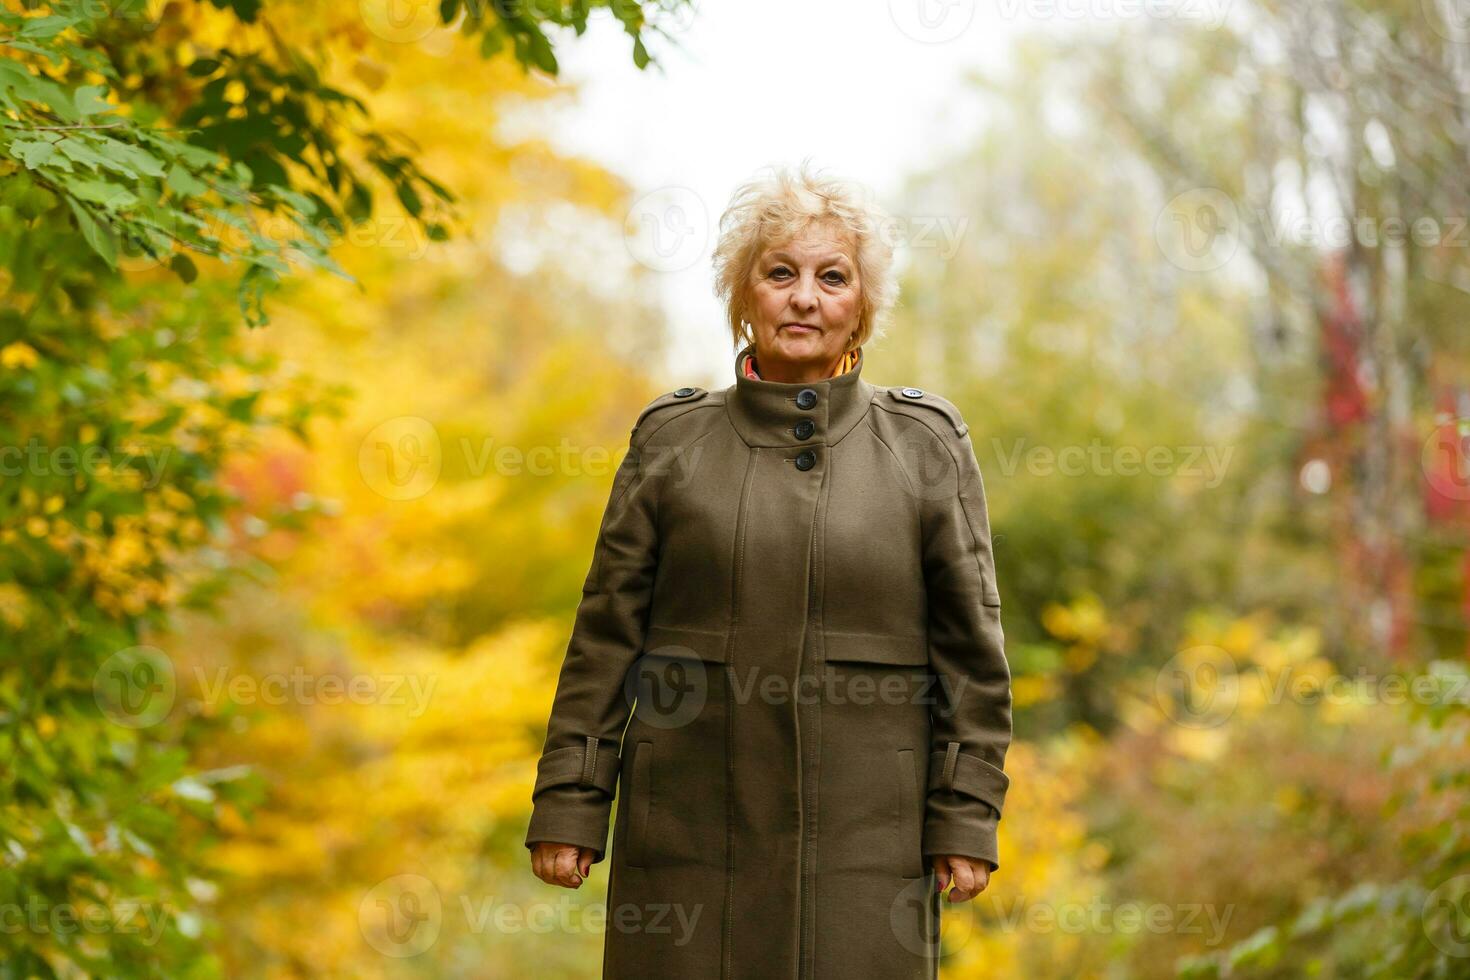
x=972, y=707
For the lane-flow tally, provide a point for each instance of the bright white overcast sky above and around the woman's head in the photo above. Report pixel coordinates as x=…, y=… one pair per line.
x=864, y=87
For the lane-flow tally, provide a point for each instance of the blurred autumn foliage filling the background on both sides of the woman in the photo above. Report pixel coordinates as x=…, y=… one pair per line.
x=292, y=533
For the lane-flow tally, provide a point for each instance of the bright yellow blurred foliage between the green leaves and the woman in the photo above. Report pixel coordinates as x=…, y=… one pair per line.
x=456, y=497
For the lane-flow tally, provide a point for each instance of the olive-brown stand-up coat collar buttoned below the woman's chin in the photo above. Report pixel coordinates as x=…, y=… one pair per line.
x=772, y=414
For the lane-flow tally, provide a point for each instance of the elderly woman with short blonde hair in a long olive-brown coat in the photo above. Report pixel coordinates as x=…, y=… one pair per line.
x=789, y=657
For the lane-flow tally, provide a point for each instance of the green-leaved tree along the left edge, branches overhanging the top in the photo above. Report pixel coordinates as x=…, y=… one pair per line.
x=143, y=151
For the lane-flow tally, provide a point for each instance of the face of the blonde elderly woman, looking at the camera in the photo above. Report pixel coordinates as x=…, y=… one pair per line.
x=805, y=305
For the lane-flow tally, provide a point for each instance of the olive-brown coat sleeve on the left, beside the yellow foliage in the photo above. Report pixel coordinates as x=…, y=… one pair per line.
x=577, y=777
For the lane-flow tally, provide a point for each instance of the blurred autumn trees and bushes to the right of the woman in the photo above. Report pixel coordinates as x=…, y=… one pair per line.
x=1247, y=240
